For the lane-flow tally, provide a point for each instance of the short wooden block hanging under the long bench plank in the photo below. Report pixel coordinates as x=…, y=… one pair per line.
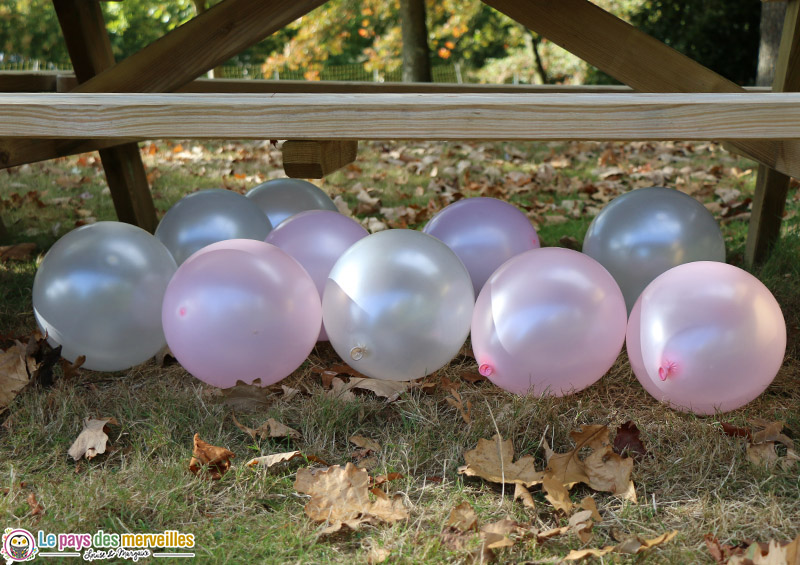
x=316, y=159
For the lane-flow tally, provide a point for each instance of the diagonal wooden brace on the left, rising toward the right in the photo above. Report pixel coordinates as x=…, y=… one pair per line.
x=183, y=54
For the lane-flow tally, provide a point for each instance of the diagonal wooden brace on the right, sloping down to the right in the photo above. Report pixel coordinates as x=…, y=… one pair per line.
x=636, y=59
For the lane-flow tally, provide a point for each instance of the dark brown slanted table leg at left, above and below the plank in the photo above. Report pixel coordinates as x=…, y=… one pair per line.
x=90, y=51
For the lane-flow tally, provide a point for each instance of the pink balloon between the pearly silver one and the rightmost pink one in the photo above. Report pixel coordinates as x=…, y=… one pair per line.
x=548, y=322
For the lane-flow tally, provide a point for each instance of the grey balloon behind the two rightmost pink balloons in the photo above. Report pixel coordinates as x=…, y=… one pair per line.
x=648, y=231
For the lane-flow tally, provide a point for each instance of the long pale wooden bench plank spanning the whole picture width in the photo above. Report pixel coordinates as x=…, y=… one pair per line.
x=404, y=116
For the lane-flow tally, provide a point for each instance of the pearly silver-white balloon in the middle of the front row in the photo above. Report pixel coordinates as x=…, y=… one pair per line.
x=398, y=305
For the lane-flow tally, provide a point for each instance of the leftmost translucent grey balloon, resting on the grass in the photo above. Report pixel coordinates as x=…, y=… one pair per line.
x=98, y=293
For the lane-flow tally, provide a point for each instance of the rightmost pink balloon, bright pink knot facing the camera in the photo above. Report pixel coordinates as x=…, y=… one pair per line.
x=706, y=337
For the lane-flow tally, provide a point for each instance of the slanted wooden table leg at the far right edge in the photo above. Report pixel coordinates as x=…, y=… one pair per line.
x=772, y=186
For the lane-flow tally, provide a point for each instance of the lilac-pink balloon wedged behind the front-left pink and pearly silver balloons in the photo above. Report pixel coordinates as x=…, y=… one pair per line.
x=316, y=239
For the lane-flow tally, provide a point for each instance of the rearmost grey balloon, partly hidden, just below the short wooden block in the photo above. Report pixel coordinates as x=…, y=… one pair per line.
x=281, y=198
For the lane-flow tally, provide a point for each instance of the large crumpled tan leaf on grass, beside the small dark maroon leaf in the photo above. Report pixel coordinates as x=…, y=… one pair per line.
x=603, y=470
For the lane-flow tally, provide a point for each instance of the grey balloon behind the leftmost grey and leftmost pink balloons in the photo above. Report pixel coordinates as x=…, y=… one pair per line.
x=209, y=216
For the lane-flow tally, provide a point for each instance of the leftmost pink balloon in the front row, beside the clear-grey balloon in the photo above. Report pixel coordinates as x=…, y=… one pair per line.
x=231, y=315
